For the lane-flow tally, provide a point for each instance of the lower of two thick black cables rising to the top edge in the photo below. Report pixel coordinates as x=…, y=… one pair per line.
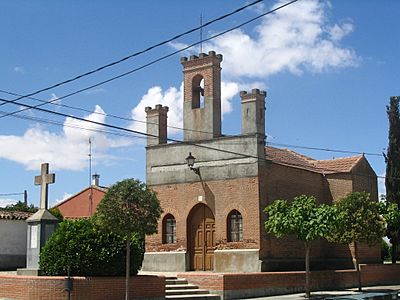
x=149, y=63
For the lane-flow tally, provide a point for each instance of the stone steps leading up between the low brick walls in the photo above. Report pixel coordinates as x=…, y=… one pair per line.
x=179, y=288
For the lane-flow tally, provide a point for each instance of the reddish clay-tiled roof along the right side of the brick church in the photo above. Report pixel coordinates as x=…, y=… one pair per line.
x=291, y=158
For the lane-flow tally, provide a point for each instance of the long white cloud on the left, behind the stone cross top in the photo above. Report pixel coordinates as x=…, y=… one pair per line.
x=66, y=150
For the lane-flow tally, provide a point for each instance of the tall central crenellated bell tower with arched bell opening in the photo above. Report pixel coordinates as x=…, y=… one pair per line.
x=202, y=96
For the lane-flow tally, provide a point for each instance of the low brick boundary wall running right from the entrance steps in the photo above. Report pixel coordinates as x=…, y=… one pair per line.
x=232, y=286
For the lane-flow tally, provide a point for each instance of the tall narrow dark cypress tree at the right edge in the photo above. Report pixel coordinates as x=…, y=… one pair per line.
x=392, y=158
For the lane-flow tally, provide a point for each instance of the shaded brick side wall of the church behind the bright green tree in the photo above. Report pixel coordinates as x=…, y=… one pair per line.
x=283, y=182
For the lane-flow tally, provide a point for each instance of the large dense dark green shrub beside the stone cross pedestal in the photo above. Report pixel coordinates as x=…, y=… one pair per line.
x=88, y=251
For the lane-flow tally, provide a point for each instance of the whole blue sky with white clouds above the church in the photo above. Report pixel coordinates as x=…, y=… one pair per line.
x=329, y=69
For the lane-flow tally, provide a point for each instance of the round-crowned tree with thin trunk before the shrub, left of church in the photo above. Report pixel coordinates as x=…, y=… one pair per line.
x=129, y=207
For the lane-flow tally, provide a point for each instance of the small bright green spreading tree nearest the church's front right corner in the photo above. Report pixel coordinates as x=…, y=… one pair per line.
x=304, y=219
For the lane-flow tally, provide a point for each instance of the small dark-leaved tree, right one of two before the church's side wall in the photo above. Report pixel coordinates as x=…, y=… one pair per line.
x=360, y=222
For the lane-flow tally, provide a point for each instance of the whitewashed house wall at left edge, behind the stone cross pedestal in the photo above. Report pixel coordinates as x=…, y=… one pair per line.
x=13, y=238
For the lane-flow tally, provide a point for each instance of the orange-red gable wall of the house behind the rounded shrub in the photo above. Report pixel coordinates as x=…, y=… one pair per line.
x=83, y=205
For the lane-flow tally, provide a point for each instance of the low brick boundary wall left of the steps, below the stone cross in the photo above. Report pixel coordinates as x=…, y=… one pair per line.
x=84, y=288
